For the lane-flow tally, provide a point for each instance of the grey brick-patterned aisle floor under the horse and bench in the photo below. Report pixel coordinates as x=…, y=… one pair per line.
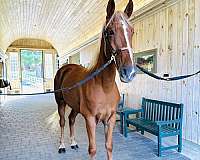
x=29, y=130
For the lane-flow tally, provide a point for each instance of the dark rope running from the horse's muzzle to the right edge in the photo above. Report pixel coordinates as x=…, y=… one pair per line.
x=165, y=79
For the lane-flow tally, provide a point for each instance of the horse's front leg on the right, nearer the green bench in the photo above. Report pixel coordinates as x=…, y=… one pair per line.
x=108, y=128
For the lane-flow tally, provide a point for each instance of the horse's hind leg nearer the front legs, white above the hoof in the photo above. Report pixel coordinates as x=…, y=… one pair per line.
x=72, y=117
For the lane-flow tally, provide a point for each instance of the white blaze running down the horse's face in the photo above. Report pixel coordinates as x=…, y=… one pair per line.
x=124, y=25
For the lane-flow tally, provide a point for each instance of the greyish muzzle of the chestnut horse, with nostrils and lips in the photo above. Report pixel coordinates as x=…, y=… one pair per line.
x=127, y=73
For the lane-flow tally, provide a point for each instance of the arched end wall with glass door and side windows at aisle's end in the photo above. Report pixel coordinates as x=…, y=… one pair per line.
x=31, y=65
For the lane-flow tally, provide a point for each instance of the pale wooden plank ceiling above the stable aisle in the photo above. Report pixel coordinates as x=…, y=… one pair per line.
x=64, y=23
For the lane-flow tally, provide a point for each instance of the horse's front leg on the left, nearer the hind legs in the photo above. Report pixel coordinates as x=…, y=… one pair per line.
x=91, y=131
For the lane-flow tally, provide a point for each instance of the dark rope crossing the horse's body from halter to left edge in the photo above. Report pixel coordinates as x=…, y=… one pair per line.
x=78, y=84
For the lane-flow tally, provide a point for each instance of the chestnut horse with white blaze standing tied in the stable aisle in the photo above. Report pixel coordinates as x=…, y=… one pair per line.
x=96, y=100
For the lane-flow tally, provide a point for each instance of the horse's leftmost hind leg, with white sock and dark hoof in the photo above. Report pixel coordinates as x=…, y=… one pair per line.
x=61, y=111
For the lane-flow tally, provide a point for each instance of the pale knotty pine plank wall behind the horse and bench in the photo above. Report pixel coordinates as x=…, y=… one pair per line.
x=174, y=31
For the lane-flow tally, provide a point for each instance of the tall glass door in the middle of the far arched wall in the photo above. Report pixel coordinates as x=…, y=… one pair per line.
x=32, y=72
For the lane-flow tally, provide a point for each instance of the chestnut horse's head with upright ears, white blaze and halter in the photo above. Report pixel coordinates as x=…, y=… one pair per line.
x=117, y=36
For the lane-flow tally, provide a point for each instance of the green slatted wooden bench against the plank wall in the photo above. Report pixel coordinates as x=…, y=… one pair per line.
x=162, y=119
